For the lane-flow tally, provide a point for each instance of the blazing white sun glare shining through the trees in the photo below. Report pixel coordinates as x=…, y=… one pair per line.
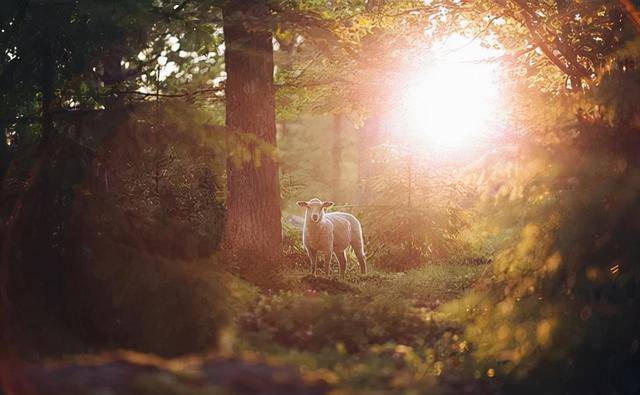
x=451, y=105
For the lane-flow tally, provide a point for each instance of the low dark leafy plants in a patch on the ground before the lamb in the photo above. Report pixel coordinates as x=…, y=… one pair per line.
x=320, y=320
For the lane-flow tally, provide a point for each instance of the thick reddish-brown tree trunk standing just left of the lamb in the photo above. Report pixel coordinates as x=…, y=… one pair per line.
x=253, y=227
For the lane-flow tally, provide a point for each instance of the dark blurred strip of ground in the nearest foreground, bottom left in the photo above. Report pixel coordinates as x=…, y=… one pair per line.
x=128, y=373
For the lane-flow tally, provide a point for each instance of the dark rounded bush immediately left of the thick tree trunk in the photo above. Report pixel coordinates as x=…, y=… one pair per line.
x=161, y=174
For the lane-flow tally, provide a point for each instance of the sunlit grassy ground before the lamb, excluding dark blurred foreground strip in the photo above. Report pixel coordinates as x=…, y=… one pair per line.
x=379, y=333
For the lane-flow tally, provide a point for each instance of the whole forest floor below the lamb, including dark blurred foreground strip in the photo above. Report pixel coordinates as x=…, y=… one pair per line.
x=382, y=333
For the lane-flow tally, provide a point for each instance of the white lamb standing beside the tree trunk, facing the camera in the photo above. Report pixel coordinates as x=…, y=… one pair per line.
x=331, y=233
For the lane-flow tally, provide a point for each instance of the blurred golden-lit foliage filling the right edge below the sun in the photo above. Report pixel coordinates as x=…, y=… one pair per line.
x=564, y=286
